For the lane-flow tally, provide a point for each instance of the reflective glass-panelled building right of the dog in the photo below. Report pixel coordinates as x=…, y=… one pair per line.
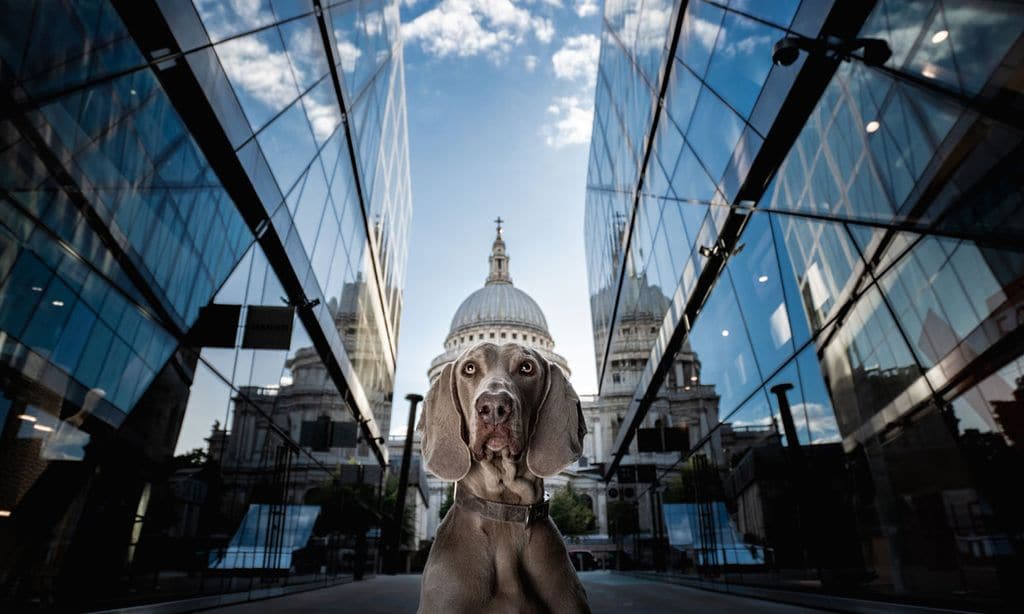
x=840, y=242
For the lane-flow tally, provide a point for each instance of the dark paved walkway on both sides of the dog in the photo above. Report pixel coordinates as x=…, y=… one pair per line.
x=608, y=592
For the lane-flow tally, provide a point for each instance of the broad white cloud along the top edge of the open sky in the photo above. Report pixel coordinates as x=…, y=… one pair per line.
x=470, y=28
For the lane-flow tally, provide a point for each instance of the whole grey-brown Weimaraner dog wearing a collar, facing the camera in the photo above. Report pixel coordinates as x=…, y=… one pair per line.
x=498, y=421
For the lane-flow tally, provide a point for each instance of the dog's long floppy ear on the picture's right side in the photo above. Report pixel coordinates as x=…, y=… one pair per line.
x=559, y=428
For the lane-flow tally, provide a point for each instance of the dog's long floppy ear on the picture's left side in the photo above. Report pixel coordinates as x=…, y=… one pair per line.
x=444, y=449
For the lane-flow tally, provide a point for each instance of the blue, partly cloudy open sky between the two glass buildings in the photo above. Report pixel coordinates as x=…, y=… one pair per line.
x=500, y=102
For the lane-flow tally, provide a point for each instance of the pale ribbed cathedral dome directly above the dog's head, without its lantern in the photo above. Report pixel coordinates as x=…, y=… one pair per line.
x=500, y=305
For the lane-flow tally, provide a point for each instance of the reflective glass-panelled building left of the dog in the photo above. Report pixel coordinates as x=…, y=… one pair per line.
x=205, y=211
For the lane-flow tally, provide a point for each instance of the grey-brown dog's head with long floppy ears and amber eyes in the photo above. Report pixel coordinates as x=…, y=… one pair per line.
x=506, y=400
